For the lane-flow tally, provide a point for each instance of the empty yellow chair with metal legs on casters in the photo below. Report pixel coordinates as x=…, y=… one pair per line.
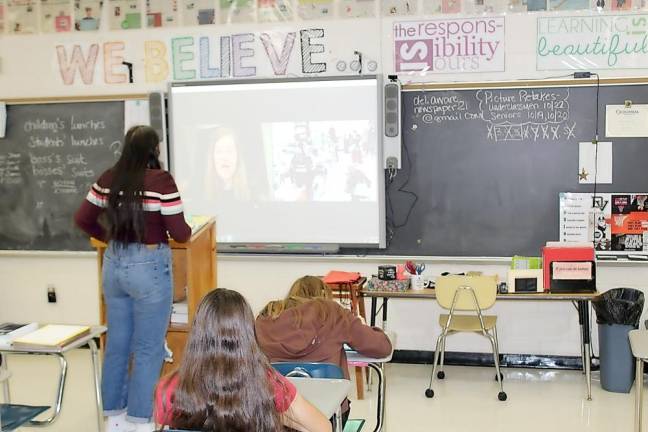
x=466, y=293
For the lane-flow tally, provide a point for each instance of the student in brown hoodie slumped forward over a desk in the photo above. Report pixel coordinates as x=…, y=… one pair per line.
x=309, y=326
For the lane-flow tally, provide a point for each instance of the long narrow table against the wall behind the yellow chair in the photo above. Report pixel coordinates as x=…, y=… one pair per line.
x=582, y=301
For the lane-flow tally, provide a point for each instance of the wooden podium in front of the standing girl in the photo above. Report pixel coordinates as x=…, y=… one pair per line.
x=194, y=275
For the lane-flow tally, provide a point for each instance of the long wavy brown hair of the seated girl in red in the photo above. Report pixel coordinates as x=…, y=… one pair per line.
x=224, y=382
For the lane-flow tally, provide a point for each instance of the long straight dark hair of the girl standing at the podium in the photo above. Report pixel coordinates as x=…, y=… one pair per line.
x=125, y=212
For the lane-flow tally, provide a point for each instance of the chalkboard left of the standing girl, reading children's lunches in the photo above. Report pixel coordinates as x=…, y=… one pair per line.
x=51, y=155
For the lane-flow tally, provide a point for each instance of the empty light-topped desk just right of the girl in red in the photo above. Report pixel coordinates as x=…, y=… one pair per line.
x=325, y=394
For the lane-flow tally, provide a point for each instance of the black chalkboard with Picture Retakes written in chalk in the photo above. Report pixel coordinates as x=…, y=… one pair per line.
x=487, y=166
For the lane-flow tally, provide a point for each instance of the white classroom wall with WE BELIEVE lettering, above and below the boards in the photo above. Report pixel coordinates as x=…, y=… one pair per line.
x=44, y=66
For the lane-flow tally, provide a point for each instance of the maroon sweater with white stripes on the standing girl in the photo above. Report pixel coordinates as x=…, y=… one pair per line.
x=162, y=208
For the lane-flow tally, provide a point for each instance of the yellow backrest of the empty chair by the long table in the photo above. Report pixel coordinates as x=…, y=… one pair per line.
x=484, y=287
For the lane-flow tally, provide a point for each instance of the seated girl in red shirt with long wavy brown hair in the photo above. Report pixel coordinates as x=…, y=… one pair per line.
x=225, y=383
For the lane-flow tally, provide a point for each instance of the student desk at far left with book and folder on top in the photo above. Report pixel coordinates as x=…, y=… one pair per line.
x=59, y=353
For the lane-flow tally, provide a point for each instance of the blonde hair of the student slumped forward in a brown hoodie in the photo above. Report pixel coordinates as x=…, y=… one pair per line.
x=304, y=290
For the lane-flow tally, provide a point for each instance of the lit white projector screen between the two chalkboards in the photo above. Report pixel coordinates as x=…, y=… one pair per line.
x=282, y=161
